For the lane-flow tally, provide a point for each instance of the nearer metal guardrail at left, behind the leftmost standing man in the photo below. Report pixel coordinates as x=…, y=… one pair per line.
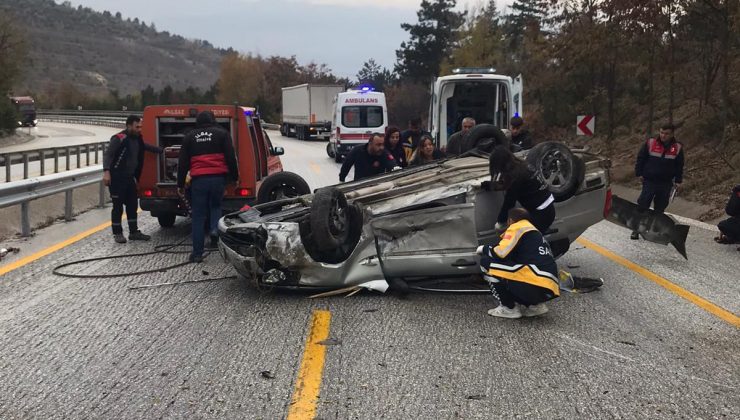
x=24, y=191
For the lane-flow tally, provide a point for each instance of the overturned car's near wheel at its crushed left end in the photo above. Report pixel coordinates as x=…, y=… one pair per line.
x=329, y=218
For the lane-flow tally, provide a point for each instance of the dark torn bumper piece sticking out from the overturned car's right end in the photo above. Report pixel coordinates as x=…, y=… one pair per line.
x=654, y=227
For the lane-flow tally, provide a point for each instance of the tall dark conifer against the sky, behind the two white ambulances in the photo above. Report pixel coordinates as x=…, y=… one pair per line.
x=431, y=40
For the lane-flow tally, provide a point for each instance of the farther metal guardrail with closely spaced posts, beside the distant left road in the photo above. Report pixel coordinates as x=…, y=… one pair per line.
x=8, y=159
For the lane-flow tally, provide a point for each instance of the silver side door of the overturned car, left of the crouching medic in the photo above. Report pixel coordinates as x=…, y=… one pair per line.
x=431, y=242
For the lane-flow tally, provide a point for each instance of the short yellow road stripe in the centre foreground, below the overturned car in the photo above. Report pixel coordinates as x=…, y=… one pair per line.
x=308, y=384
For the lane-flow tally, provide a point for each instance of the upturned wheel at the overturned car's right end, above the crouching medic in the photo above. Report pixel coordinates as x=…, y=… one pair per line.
x=557, y=167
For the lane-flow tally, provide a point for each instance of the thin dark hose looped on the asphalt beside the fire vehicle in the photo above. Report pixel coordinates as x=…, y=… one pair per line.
x=159, y=249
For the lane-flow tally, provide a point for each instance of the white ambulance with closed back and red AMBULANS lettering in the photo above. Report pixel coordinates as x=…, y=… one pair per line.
x=357, y=114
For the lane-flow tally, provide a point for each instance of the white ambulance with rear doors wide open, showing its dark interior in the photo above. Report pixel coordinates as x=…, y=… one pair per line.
x=479, y=93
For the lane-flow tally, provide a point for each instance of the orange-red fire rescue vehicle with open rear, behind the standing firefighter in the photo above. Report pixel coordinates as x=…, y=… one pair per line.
x=260, y=171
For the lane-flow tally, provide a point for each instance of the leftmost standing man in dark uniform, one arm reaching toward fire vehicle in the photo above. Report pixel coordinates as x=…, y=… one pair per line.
x=122, y=165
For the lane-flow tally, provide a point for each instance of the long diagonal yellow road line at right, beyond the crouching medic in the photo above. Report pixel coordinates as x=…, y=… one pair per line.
x=673, y=288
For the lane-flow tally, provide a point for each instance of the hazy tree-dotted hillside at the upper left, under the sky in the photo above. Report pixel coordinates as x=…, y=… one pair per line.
x=96, y=52
